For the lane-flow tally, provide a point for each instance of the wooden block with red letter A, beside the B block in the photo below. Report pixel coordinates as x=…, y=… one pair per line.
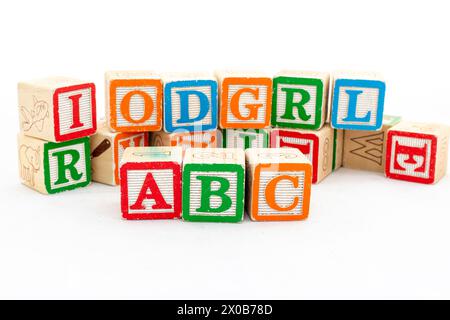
x=150, y=183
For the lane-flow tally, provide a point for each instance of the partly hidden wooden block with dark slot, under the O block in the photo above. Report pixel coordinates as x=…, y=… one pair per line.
x=107, y=149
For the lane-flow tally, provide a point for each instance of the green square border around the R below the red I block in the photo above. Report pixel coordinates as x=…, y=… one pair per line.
x=53, y=145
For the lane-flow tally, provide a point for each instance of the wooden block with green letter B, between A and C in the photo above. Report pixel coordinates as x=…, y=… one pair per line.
x=213, y=185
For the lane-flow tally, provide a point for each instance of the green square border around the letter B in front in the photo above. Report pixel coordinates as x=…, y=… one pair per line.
x=240, y=189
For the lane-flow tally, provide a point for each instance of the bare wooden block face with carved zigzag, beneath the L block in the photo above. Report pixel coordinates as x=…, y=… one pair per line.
x=366, y=150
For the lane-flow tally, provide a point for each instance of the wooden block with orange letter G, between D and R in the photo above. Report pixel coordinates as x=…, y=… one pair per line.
x=246, y=100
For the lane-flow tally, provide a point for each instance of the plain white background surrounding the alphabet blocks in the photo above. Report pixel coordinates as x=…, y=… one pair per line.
x=367, y=237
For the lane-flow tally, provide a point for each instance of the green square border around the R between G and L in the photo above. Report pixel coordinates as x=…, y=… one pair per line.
x=302, y=81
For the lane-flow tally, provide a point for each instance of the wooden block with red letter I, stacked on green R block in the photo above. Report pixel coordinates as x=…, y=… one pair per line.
x=57, y=109
